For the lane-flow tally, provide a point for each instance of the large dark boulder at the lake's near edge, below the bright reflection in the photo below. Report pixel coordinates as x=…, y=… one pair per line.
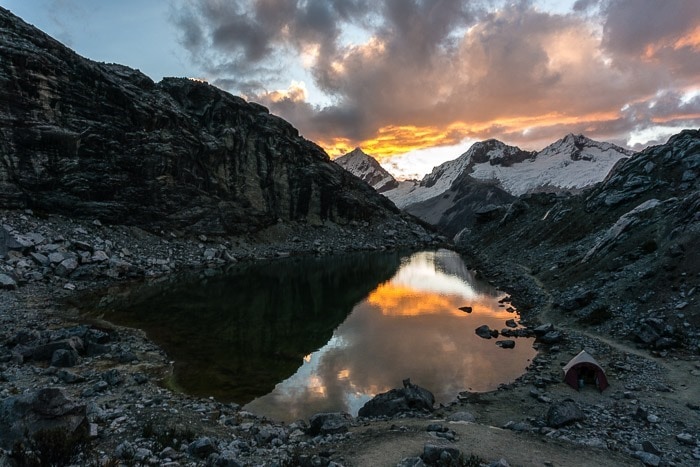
x=407, y=399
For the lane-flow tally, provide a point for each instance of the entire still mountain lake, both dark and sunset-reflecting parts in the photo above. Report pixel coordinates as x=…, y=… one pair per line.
x=295, y=337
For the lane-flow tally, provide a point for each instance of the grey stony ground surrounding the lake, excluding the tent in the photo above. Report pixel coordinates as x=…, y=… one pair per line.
x=105, y=384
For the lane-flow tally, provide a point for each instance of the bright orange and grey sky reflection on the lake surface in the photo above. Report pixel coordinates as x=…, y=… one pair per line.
x=411, y=327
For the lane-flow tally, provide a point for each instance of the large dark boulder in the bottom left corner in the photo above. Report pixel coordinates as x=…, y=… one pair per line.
x=43, y=409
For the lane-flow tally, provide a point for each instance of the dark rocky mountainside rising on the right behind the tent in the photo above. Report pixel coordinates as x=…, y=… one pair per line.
x=623, y=256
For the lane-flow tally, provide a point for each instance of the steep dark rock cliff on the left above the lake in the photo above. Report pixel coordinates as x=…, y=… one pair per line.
x=104, y=141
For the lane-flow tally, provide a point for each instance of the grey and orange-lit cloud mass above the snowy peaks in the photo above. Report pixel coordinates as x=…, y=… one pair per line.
x=453, y=69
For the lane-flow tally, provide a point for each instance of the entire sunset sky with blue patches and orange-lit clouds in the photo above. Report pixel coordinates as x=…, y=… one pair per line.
x=415, y=82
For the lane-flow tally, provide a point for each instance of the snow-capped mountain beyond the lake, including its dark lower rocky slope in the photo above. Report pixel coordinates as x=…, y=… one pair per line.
x=492, y=174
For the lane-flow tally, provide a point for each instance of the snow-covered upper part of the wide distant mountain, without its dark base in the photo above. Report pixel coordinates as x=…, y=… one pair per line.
x=571, y=164
